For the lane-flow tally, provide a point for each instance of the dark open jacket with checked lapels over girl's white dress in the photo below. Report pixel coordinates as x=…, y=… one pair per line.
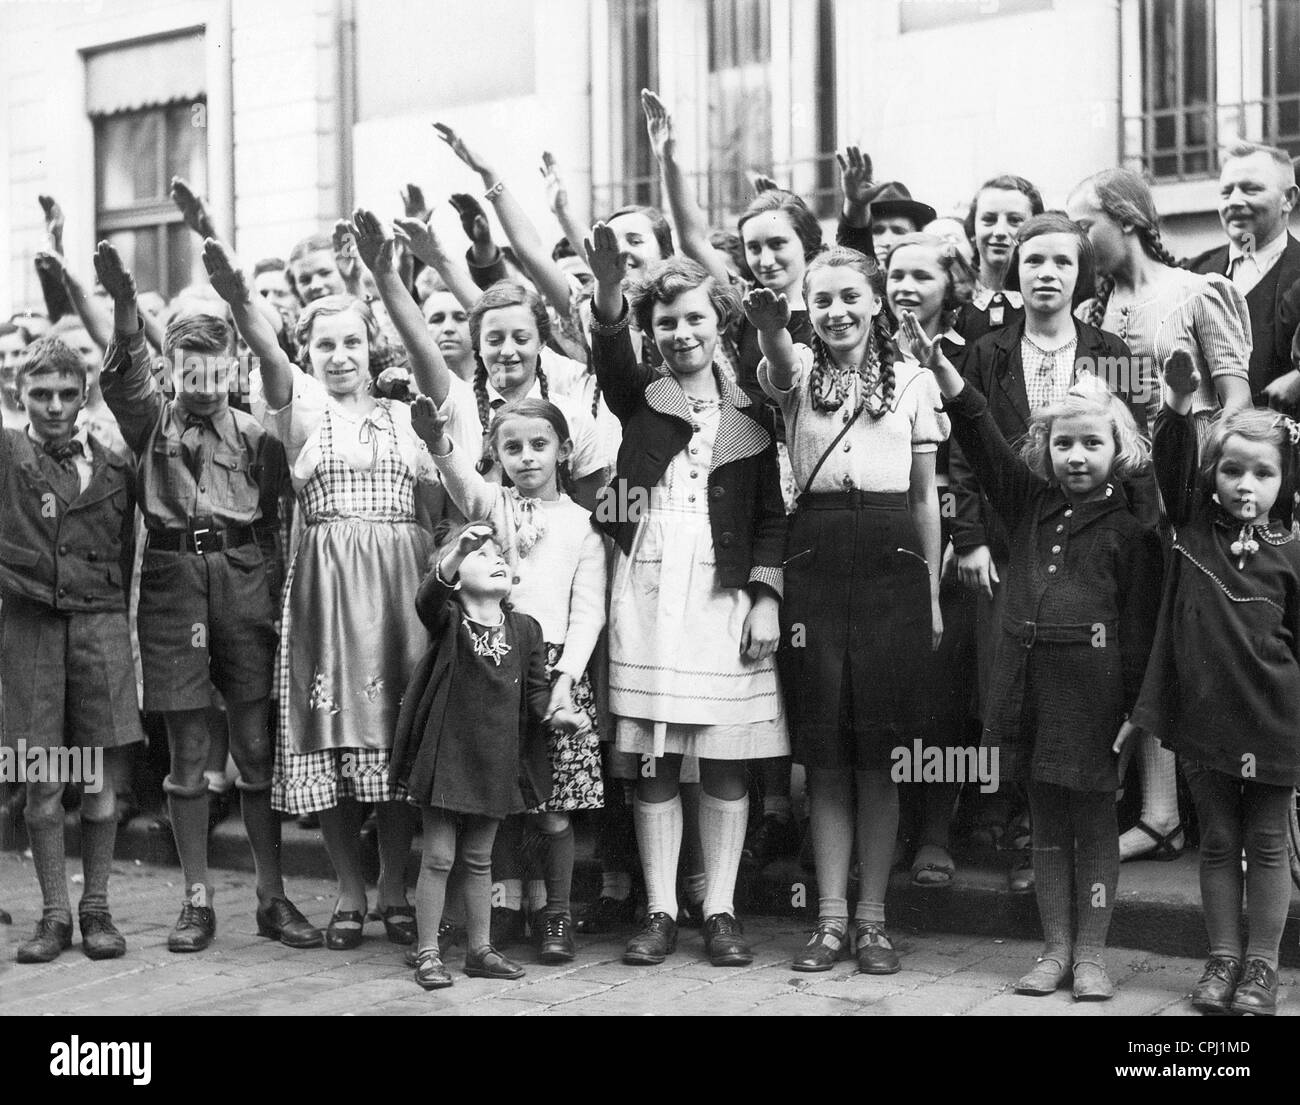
x=747, y=513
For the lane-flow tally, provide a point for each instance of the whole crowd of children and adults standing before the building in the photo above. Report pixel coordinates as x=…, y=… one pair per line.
x=625, y=528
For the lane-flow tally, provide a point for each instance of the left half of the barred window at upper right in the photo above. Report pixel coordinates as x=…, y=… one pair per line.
x=1178, y=101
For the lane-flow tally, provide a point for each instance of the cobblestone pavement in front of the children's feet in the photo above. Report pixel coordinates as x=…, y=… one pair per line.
x=242, y=974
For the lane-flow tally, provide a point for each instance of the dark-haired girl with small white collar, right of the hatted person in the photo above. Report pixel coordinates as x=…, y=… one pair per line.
x=1000, y=207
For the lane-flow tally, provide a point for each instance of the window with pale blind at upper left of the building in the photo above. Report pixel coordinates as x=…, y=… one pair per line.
x=148, y=105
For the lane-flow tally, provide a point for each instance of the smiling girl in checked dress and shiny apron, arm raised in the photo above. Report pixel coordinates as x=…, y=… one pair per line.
x=350, y=636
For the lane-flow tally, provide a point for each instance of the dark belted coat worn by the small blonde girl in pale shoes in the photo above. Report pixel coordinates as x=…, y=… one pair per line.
x=1081, y=616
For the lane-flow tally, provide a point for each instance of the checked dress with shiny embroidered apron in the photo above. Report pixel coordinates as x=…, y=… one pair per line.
x=350, y=635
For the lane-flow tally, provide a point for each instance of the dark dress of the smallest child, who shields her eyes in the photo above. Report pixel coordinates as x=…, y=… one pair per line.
x=467, y=752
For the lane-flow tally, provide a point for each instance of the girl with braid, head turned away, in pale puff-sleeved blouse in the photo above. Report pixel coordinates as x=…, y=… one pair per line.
x=1158, y=310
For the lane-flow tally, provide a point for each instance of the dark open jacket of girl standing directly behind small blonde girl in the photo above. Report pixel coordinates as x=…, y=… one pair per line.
x=994, y=367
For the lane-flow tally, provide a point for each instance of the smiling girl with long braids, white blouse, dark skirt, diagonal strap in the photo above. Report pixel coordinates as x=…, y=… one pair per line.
x=863, y=578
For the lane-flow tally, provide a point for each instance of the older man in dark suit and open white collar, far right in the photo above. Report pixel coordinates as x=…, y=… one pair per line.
x=1258, y=193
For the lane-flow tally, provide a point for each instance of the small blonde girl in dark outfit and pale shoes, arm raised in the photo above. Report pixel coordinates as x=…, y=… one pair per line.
x=1076, y=636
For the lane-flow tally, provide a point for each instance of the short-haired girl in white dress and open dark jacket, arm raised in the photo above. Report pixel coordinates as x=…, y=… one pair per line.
x=697, y=517
